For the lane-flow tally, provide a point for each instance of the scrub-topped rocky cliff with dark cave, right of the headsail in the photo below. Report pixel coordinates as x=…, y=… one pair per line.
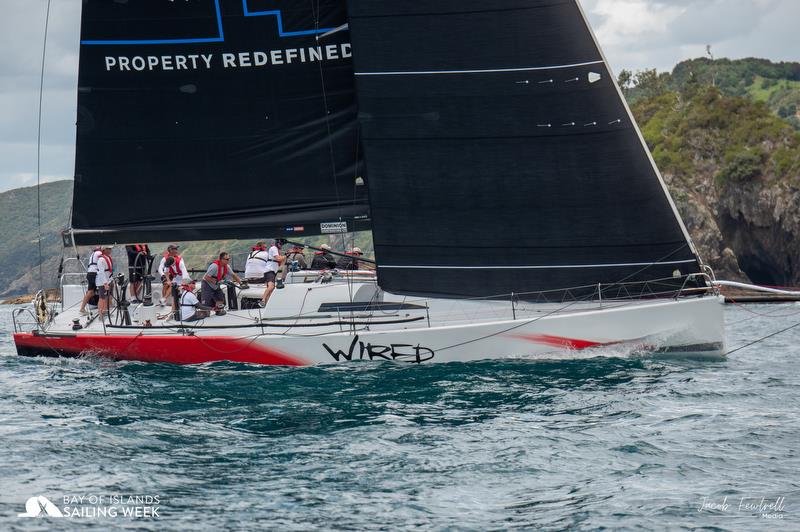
x=733, y=168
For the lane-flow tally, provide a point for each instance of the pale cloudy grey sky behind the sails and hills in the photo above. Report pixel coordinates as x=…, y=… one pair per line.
x=635, y=34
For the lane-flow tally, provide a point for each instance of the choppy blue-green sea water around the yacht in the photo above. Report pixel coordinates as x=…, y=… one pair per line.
x=616, y=441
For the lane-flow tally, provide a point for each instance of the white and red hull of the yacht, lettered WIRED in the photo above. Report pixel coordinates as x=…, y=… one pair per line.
x=298, y=329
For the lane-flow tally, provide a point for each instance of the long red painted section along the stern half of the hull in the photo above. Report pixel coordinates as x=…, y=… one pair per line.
x=171, y=349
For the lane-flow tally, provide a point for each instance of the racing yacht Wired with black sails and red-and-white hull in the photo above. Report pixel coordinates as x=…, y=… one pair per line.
x=515, y=208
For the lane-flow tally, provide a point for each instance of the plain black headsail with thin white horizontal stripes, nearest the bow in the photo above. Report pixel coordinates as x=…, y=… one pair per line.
x=502, y=158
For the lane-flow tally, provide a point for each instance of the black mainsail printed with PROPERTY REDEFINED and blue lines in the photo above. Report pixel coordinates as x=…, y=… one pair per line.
x=215, y=119
